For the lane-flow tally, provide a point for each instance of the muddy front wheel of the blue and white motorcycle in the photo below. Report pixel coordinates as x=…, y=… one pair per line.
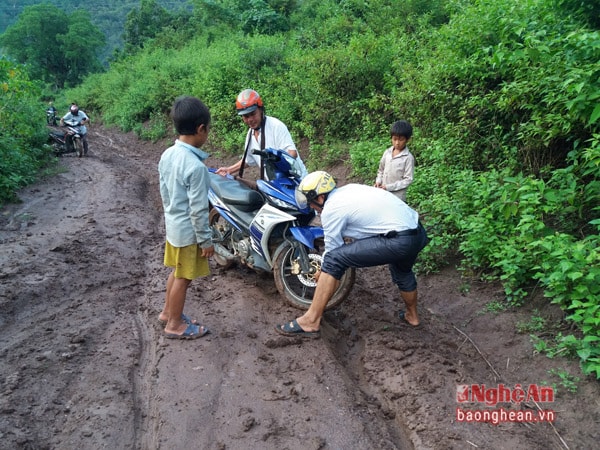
x=298, y=289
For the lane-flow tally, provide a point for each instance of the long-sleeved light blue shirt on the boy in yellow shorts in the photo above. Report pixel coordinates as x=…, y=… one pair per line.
x=184, y=184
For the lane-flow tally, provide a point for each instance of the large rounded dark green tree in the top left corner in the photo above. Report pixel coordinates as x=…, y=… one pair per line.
x=56, y=47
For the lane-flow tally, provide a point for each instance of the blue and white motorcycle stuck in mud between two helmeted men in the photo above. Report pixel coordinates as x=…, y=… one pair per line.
x=265, y=230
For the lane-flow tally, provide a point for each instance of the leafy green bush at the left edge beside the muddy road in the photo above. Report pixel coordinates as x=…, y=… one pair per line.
x=22, y=138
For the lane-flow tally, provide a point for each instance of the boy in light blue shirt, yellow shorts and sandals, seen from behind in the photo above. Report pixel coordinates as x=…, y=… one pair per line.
x=184, y=184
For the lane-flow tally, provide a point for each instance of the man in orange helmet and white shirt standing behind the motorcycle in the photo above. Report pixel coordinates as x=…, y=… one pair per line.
x=264, y=132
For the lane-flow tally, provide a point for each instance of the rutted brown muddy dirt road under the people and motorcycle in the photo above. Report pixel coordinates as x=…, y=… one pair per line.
x=83, y=364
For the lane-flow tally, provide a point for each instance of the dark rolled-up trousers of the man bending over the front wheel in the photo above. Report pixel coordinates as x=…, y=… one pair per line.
x=399, y=252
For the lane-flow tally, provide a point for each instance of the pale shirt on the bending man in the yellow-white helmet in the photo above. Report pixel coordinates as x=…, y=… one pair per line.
x=358, y=211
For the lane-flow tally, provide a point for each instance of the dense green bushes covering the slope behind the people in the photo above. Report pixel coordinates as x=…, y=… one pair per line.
x=504, y=97
